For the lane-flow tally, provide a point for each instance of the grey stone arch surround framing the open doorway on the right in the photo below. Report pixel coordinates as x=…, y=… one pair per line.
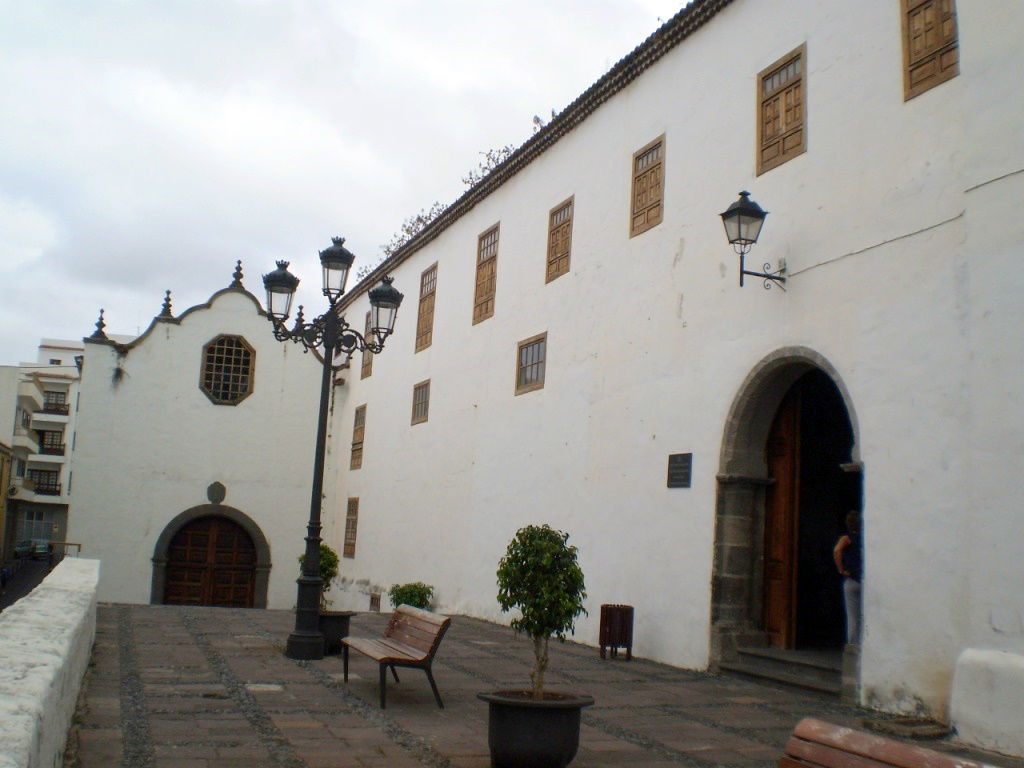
x=743, y=478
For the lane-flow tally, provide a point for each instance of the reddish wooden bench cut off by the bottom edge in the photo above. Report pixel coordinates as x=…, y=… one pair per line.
x=816, y=744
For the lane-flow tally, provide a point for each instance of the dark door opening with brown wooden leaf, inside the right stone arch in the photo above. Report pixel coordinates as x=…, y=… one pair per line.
x=806, y=502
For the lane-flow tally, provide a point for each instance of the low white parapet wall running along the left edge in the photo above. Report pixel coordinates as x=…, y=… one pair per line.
x=46, y=645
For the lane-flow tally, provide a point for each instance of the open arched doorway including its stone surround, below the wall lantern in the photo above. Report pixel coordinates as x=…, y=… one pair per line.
x=789, y=473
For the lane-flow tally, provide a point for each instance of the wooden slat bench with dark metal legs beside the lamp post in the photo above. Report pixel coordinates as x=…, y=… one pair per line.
x=411, y=639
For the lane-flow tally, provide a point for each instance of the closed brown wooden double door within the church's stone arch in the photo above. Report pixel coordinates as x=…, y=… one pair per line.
x=211, y=562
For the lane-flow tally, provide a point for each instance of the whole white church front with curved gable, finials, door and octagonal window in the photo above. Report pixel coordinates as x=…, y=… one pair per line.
x=194, y=458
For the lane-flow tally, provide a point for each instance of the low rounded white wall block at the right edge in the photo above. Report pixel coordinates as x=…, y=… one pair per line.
x=988, y=704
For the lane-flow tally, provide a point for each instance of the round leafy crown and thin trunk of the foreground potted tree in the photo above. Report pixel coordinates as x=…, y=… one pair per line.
x=541, y=577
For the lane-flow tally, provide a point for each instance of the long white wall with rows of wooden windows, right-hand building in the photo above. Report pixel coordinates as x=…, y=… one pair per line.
x=900, y=231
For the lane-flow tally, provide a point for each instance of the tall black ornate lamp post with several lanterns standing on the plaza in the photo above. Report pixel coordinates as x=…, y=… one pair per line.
x=334, y=337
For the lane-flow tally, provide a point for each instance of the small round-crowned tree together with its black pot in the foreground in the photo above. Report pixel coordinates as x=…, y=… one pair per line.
x=539, y=576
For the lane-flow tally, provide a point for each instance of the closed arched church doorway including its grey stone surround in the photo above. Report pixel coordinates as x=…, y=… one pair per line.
x=211, y=556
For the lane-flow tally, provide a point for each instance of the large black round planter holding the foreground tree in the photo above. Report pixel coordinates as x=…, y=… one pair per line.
x=524, y=733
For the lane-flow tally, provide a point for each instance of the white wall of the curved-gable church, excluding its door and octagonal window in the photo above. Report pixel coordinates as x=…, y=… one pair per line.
x=150, y=446
